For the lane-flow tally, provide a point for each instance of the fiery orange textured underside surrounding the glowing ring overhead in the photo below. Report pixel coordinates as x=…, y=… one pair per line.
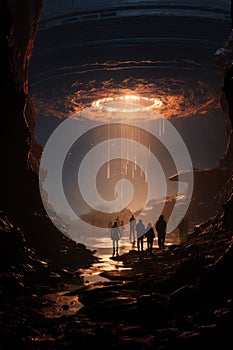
x=177, y=98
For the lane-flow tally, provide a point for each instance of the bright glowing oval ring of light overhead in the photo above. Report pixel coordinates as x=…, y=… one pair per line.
x=127, y=104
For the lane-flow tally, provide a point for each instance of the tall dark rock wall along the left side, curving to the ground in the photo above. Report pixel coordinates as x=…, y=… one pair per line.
x=20, y=197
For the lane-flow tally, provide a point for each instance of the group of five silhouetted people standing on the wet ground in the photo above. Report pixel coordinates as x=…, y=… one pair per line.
x=138, y=231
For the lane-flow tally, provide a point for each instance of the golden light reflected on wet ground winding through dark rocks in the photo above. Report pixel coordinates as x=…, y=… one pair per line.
x=66, y=302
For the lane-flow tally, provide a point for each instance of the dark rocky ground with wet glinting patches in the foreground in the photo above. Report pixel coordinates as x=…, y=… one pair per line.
x=135, y=301
